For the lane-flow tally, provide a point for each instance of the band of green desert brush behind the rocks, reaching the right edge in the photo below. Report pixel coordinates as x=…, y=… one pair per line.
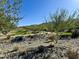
x=61, y=20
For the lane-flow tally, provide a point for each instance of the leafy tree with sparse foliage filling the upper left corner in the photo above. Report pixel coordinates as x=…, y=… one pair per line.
x=9, y=14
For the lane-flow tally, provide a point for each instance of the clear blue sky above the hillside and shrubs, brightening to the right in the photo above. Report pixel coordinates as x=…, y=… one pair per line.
x=34, y=11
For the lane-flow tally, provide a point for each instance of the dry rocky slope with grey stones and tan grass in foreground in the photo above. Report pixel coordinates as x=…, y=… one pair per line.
x=35, y=47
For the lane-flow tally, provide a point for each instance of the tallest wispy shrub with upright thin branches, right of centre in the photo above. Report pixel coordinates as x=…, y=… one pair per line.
x=58, y=18
